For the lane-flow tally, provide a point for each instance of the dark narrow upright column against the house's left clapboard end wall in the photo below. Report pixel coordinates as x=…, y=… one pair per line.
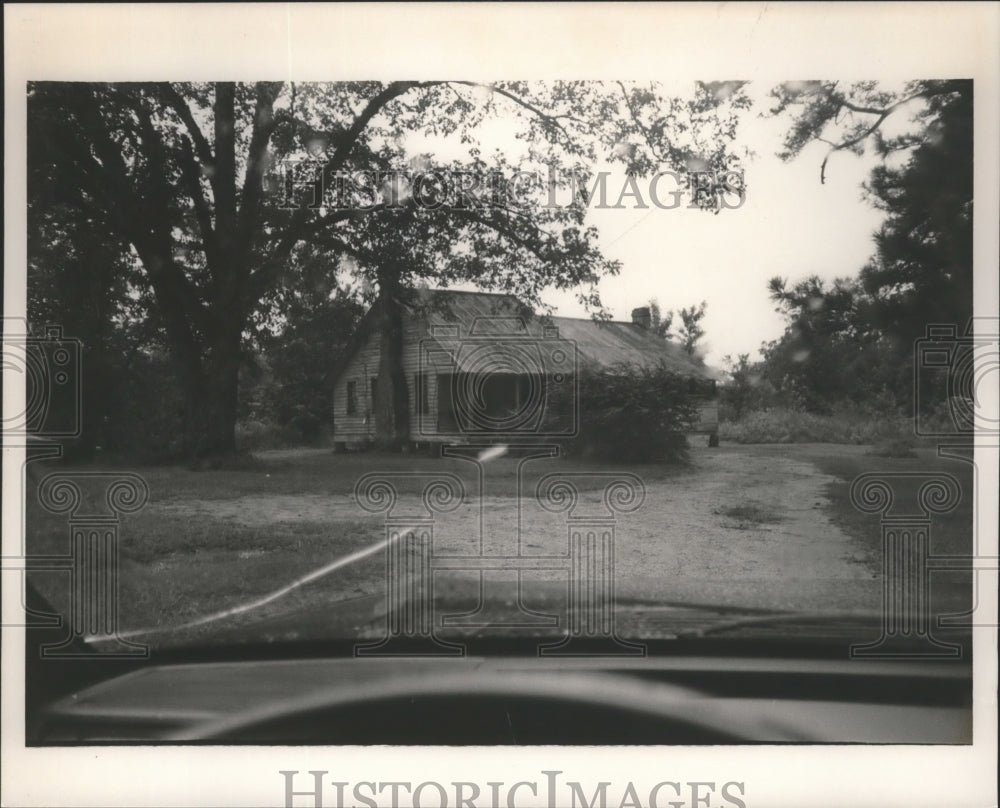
x=392, y=402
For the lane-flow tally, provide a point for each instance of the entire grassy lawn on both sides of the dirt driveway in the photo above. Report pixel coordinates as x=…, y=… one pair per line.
x=213, y=540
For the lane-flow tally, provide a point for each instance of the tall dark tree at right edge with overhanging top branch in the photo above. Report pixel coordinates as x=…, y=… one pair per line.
x=855, y=338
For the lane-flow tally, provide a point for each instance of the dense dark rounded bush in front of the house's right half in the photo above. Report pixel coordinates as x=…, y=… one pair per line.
x=632, y=413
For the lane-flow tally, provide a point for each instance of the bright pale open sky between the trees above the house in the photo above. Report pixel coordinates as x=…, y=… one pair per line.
x=789, y=225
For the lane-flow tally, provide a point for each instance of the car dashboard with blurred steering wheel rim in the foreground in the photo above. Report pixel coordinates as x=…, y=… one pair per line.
x=698, y=692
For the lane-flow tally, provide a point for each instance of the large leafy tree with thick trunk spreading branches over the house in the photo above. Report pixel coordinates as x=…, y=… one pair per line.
x=181, y=172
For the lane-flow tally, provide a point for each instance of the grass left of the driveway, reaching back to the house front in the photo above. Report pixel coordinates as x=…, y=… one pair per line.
x=178, y=566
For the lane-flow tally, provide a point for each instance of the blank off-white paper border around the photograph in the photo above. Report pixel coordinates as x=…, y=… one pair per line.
x=758, y=41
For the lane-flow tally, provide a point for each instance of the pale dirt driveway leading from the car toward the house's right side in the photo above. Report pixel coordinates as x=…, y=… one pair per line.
x=742, y=528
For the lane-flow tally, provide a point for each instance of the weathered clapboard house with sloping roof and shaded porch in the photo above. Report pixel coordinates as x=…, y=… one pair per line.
x=482, y=367
